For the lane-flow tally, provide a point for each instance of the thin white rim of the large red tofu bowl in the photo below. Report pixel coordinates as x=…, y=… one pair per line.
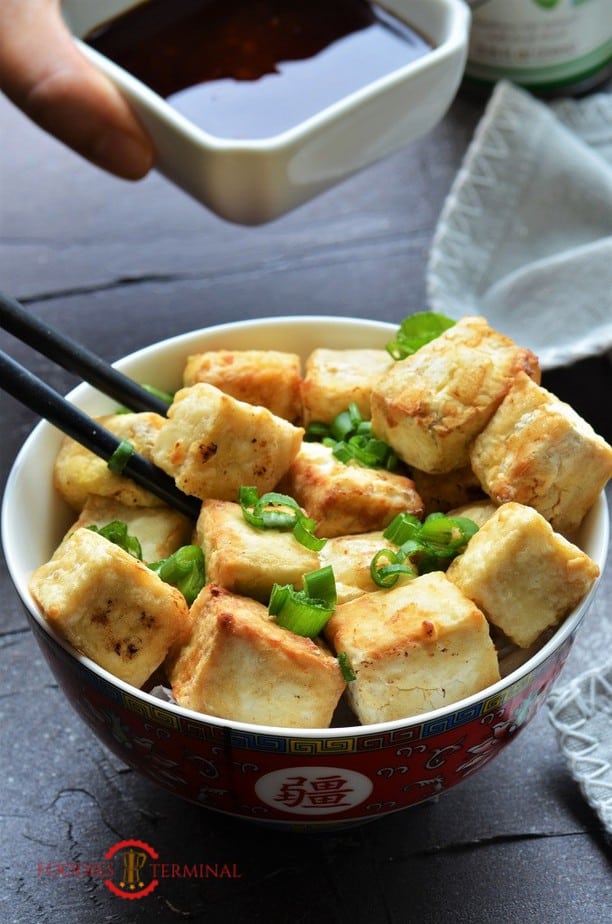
x=599, y=512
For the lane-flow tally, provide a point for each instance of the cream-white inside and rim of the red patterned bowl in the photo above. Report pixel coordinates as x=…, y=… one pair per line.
x=30, y=500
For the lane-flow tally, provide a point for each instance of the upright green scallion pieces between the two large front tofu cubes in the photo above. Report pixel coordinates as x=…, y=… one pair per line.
x=299, y=610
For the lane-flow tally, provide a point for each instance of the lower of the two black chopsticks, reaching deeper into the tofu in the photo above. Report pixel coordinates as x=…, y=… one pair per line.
x=43, y=400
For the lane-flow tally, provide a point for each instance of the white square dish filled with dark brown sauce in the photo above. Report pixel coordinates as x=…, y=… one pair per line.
x=256, y=108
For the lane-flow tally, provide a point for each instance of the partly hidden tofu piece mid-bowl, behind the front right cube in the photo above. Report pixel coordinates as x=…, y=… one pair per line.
x=350, y=558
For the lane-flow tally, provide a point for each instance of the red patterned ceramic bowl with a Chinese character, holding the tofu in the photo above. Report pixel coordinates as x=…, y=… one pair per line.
x=311, y=779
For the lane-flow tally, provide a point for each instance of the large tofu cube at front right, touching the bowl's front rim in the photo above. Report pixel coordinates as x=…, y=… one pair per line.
x=413, y=648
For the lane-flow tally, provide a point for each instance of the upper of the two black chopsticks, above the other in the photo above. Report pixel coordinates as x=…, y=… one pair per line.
x=74, y=357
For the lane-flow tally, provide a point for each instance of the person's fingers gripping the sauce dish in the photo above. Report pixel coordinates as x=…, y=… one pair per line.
x=44, y=74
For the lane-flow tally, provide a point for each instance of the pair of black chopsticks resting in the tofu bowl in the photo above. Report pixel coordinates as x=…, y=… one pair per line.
x=31, y=391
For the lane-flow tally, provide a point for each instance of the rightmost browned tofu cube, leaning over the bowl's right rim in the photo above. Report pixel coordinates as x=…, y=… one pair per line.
x=537, y=450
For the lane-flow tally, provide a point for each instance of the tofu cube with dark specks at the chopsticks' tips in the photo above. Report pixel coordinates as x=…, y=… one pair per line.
x=211, y=444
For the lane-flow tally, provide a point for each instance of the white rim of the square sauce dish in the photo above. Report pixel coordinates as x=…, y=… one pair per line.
x=454, y=43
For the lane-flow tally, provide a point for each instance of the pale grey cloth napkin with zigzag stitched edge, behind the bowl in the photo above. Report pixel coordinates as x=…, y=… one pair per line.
x=525, y=234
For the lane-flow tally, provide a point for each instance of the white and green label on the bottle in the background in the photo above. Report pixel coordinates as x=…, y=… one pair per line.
x=539, y=41
